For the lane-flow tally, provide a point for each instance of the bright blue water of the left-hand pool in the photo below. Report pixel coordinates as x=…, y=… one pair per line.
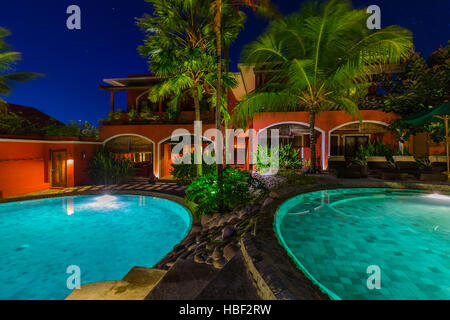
x=104, y=235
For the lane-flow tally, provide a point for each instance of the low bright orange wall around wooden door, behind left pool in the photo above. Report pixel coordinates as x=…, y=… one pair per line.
x=24, y=165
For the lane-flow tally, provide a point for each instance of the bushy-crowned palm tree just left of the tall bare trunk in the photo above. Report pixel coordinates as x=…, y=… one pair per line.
x=177, y=50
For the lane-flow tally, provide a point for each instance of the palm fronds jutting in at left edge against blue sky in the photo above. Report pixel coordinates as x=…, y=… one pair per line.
x=8, y=59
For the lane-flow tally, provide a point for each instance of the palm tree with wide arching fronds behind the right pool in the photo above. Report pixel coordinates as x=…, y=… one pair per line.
x=320, y=58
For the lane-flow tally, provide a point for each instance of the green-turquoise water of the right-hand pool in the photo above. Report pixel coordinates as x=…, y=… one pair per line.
x=335, y=235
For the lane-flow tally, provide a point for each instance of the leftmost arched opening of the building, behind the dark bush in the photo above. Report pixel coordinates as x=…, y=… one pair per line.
x=140, y=150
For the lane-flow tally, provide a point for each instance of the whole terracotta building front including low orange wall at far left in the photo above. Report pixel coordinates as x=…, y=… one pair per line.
x=26, y=164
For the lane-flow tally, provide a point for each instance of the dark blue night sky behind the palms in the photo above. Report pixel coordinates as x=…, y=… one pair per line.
x=75, y=62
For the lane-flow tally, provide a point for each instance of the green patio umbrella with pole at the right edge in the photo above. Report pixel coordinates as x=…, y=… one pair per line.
x=443, y=114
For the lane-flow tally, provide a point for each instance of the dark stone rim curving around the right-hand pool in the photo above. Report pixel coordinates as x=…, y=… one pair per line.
x=272, y=261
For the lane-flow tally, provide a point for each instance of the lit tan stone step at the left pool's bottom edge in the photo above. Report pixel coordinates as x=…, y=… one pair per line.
x=135, y=285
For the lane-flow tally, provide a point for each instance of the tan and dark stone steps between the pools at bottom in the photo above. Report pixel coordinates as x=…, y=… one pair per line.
x=185, y=280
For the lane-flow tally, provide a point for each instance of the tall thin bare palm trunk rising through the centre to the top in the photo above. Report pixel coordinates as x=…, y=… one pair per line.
x=217, y=30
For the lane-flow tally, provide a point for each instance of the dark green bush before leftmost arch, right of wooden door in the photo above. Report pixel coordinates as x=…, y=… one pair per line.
x=106, y=167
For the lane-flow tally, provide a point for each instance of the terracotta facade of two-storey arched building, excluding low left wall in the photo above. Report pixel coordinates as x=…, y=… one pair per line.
x=157, y=133
